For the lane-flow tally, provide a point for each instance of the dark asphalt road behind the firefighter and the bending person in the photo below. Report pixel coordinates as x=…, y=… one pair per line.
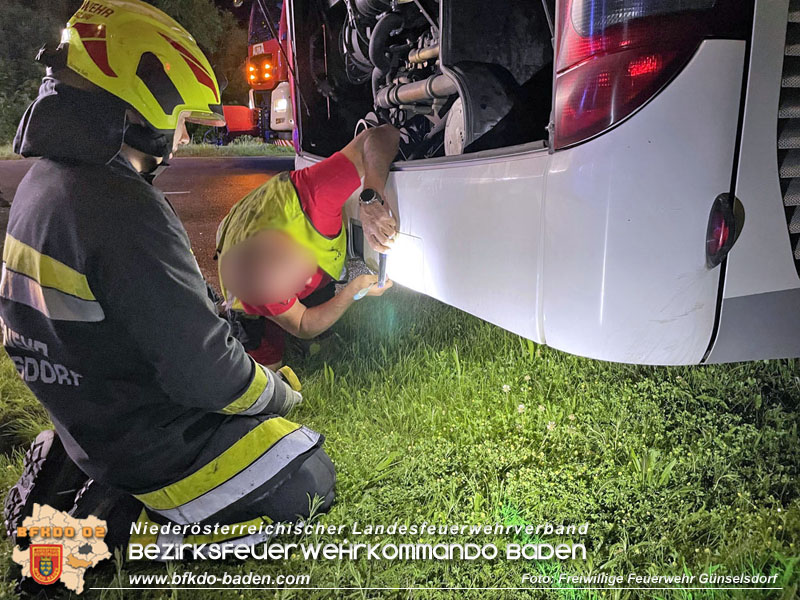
x=201, y=190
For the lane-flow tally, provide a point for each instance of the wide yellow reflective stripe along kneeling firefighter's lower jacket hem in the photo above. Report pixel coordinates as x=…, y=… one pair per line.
x=236, y=458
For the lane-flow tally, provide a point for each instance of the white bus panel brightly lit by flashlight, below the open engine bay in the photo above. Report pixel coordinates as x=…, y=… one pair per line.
x=469, y=236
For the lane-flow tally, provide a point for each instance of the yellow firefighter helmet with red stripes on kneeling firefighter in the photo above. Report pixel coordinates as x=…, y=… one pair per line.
x=144, y=57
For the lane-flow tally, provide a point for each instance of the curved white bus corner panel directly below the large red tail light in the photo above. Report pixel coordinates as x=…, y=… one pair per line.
x=625, y=222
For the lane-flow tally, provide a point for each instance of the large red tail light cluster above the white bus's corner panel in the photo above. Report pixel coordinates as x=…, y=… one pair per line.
x=612, y=56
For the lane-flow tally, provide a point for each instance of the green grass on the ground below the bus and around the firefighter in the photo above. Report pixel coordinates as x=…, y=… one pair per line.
x=675, y=469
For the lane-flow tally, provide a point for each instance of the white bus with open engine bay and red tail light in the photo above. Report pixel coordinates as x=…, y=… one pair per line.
x=625, y=192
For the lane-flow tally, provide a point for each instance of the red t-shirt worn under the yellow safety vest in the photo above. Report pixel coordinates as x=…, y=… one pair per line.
x=323, y=189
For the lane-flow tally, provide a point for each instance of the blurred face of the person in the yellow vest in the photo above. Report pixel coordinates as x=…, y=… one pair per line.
x=268, y=267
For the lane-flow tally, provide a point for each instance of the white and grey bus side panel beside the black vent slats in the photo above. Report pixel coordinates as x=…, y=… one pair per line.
x=760, y=316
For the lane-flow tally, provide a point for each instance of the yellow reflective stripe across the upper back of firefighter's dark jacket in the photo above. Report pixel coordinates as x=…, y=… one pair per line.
x=47, y=271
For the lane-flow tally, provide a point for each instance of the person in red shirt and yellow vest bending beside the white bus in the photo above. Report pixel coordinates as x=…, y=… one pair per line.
x=282, y=246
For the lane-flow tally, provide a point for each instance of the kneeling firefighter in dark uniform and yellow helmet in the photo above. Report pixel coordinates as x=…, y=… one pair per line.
x=104, y=309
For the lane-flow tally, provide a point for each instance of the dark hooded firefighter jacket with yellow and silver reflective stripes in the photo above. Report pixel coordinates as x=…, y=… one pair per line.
x=106, y=318
